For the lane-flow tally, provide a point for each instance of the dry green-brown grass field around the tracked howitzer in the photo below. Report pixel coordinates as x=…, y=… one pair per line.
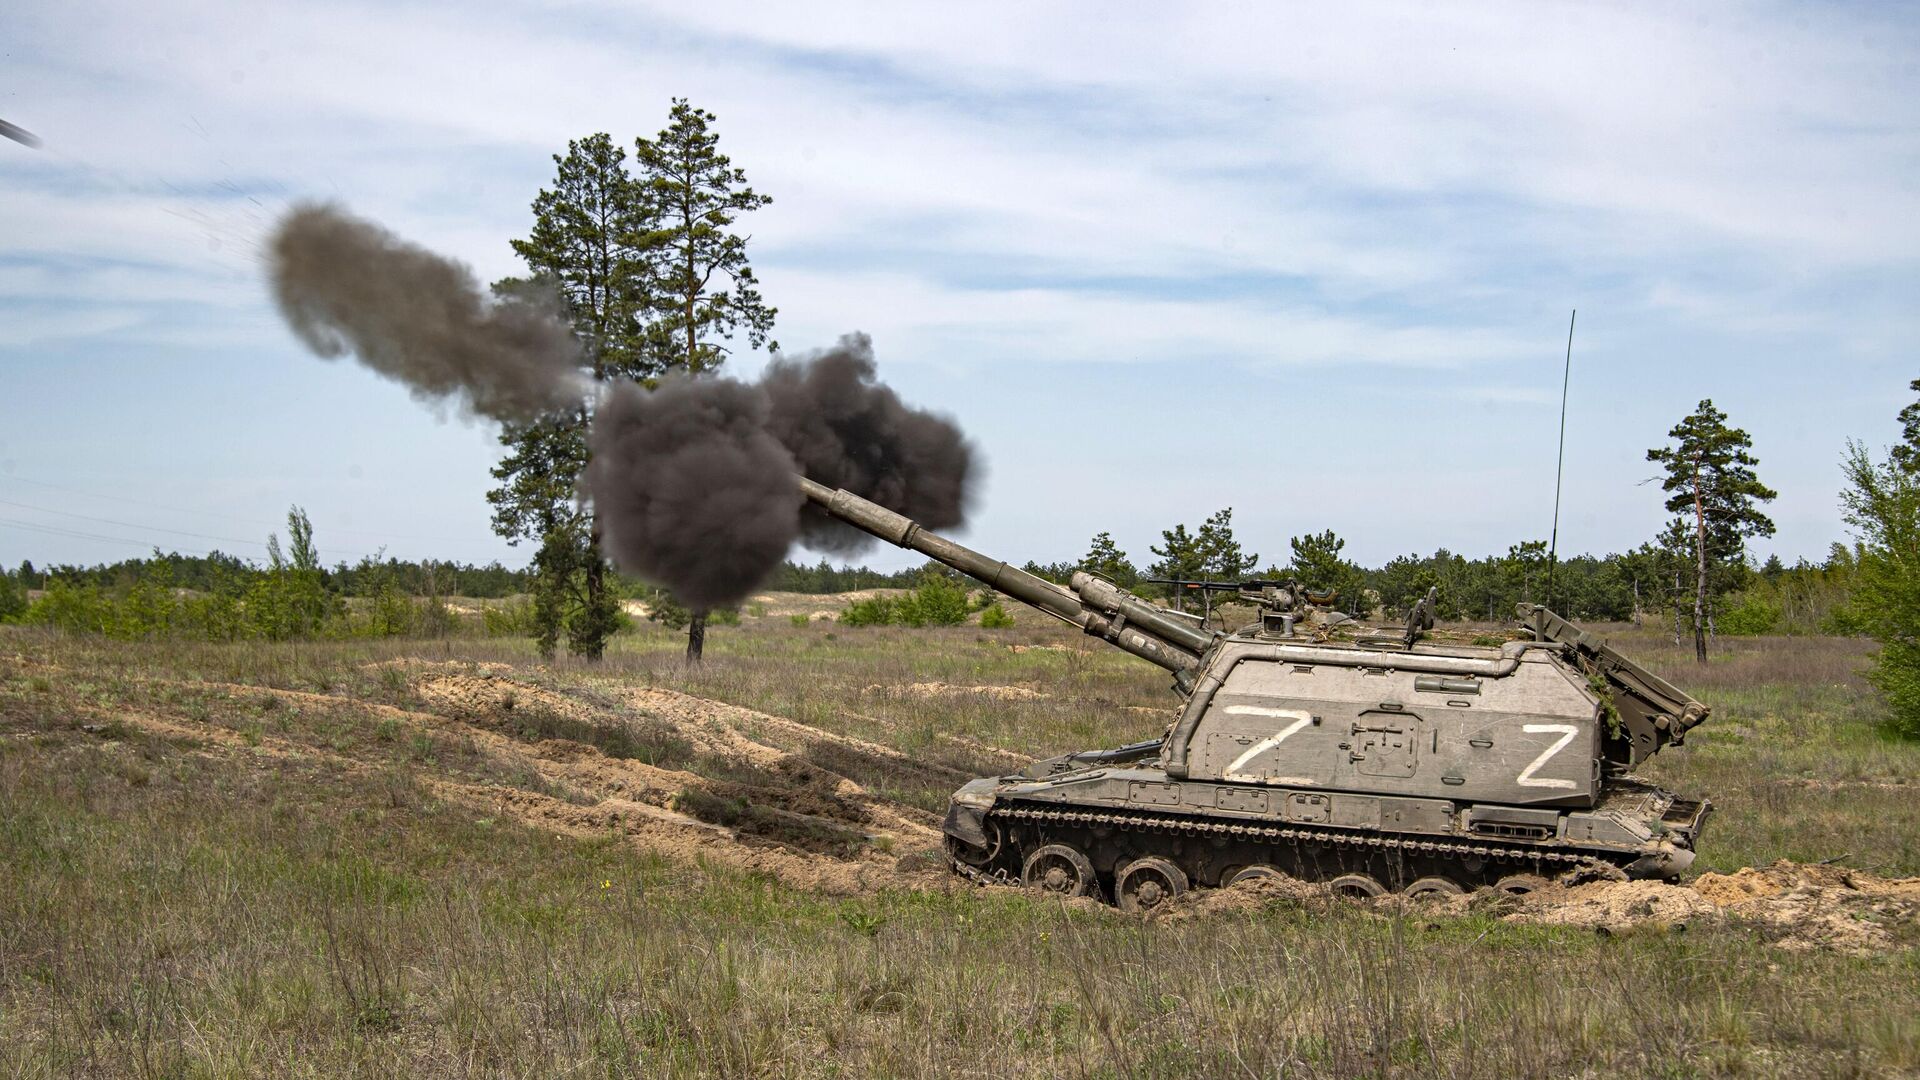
x=289, y=860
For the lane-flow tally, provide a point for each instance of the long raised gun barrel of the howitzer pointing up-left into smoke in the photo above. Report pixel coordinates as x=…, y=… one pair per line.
x=1128, y=624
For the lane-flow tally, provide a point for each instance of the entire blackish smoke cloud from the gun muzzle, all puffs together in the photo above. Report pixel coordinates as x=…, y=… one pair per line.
x=694, y=481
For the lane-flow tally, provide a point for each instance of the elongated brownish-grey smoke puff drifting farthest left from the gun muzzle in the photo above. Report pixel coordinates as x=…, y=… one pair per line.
x=348, y=285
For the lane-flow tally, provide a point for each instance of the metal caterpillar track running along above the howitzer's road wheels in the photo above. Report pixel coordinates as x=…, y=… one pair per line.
x=1044, y=818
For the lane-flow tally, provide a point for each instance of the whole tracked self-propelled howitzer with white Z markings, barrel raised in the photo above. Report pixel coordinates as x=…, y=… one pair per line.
x=1318, y=749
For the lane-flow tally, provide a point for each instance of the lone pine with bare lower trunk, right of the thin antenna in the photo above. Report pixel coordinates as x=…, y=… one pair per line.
x=1710, y=479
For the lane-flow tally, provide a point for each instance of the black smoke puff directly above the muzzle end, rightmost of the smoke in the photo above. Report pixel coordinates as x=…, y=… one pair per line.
x=850, y=431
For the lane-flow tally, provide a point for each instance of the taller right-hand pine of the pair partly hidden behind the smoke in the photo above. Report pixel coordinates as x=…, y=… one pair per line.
x=702, y=287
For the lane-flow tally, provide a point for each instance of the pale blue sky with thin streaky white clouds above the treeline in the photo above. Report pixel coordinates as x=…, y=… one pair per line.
x=1308, y=262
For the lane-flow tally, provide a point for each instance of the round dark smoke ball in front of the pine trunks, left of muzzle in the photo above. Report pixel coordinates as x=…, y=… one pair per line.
x=692, y=491
